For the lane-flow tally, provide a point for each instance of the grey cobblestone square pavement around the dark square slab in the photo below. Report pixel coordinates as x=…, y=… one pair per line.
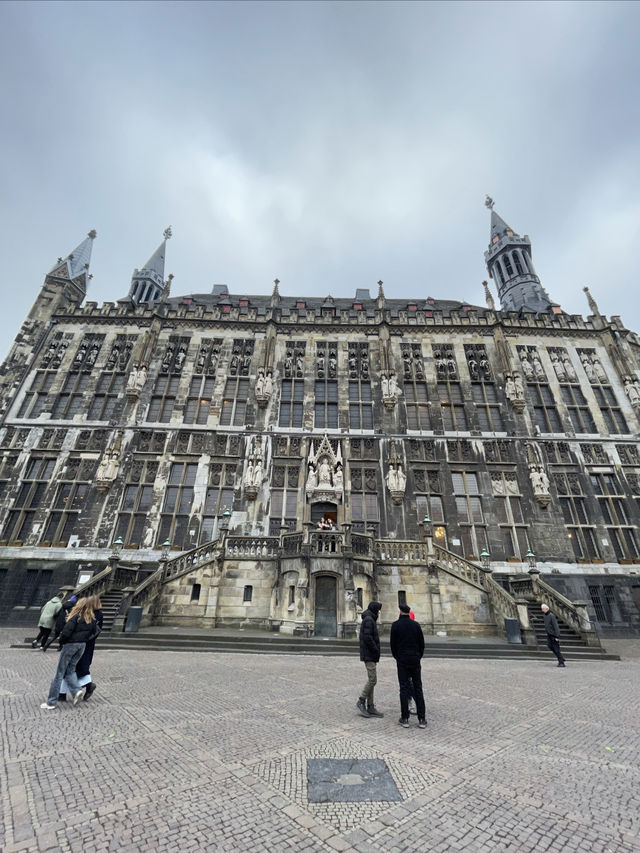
x=192, y=752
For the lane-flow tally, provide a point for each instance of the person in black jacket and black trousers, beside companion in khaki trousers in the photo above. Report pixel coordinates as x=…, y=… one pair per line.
x=407, y=647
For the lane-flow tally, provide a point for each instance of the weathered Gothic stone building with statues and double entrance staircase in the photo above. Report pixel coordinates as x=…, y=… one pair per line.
x=178, y=453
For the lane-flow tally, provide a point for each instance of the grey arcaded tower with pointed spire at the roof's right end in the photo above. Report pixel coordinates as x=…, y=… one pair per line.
x=509, y=264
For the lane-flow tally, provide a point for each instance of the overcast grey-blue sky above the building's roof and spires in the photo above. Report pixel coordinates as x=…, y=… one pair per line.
x=328, y=144
